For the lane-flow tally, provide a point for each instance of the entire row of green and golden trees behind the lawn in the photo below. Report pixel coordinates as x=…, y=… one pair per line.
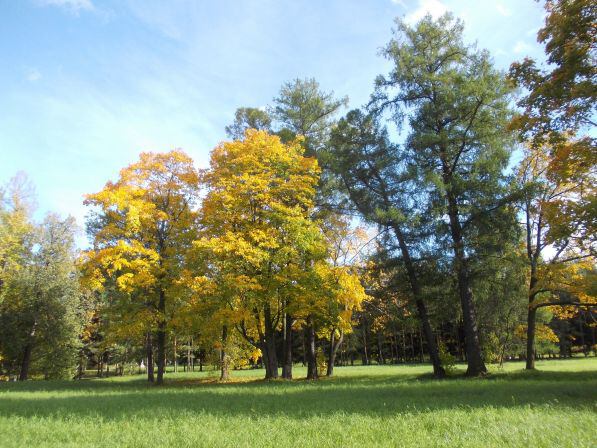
x=402, y=230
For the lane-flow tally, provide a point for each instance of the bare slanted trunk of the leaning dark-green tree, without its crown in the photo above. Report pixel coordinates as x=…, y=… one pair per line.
x=438, y=370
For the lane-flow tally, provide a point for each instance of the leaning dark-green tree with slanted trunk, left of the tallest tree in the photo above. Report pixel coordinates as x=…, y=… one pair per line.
x=373, y=175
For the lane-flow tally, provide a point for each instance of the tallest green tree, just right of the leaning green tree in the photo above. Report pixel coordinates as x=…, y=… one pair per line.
x=457, y=109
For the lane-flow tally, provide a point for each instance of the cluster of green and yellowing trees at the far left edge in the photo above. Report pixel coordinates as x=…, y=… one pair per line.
x=41, y=309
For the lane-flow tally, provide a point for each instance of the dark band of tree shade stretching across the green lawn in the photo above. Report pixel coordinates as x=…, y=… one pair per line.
x=365, y=395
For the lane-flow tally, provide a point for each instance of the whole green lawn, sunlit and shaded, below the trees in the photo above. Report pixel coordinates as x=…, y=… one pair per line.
x=391, y=406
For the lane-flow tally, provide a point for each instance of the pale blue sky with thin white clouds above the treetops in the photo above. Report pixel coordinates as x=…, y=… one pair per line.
x=86, y=85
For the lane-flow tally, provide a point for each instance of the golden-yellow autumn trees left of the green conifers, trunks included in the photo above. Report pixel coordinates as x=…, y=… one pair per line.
x=242, y=262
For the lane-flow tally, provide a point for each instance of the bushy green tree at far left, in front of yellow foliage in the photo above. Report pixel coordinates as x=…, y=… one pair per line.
x=40, y=318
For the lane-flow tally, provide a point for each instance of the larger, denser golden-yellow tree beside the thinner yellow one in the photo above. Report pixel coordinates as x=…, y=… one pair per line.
x=257, y=235
